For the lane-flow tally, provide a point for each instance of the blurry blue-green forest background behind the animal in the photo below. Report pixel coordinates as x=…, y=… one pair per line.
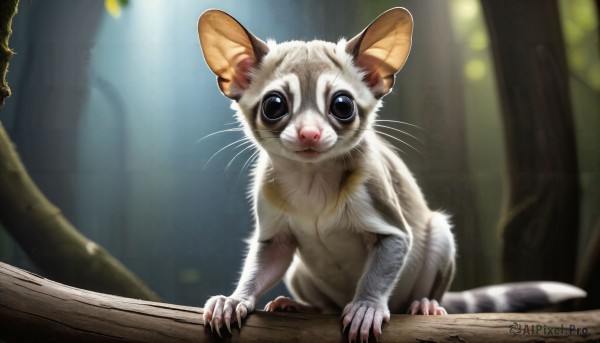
x=111, y=99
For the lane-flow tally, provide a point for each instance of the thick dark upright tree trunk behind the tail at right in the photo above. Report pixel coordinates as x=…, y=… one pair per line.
x=541, y=222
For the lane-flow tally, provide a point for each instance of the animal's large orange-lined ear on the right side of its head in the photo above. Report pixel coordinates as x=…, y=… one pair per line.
x=382, y=48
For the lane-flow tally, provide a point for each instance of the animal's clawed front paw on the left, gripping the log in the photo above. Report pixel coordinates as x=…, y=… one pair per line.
x=219, y=310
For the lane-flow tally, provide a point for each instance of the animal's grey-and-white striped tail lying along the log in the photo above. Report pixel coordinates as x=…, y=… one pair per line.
x=510, y=297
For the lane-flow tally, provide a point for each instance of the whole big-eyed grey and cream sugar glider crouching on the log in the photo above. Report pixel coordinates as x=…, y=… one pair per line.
x=339, y=217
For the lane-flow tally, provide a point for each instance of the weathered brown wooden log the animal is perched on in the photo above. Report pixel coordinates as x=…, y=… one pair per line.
x=33, y=309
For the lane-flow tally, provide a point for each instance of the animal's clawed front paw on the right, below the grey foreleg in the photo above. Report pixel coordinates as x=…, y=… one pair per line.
x=362, y=316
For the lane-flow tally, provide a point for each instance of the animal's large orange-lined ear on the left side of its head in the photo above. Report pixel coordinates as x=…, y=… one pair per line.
x=230, y=51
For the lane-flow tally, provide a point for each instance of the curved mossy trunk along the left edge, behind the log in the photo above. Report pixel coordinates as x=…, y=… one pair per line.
x=48, y=238
